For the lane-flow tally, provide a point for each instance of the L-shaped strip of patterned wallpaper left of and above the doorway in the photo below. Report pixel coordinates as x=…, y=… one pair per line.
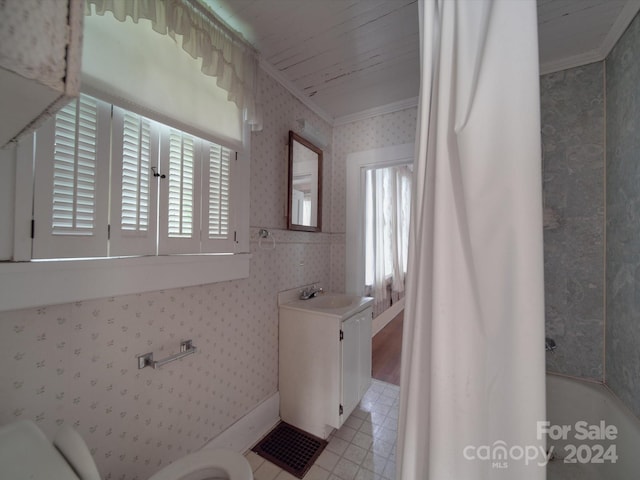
x=382, y=131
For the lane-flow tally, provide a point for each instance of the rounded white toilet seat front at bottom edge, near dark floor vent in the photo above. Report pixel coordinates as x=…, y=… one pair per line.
x=197, y=466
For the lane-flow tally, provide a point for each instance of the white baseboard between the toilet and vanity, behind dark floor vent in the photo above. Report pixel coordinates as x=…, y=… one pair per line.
x=246, y=432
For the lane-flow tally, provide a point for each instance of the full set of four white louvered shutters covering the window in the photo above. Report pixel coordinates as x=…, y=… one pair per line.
x=110, y=183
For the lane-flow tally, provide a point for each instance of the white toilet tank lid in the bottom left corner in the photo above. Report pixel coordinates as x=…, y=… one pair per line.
x=25, y=452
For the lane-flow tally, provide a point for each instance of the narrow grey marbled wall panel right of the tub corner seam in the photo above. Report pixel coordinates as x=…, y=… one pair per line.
x=623, y=218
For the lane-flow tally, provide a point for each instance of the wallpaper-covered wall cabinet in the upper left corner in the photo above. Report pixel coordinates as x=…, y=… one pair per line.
x=40, y=54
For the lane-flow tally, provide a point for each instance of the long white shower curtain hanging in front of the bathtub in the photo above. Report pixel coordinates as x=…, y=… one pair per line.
x=472, y=386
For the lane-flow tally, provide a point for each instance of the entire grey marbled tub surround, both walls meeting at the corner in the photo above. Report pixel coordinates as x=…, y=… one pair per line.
x=578, y=267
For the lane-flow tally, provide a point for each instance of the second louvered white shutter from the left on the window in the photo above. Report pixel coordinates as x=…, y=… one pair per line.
x=135, y=144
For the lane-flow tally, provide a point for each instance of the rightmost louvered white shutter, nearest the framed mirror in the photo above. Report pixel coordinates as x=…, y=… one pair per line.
x=217, y=229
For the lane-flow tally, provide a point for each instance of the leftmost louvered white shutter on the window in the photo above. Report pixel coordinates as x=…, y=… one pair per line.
x=71, y=181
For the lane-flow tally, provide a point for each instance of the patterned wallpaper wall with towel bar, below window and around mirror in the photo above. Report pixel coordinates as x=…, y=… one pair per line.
x=76, y=363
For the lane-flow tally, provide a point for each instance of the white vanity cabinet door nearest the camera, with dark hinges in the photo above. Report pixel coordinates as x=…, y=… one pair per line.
x=350, y=366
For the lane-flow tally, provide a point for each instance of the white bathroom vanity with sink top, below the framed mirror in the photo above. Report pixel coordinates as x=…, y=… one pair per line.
x=325, y=360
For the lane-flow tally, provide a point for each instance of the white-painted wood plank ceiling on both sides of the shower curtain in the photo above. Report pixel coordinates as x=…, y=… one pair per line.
x=347, y=56
